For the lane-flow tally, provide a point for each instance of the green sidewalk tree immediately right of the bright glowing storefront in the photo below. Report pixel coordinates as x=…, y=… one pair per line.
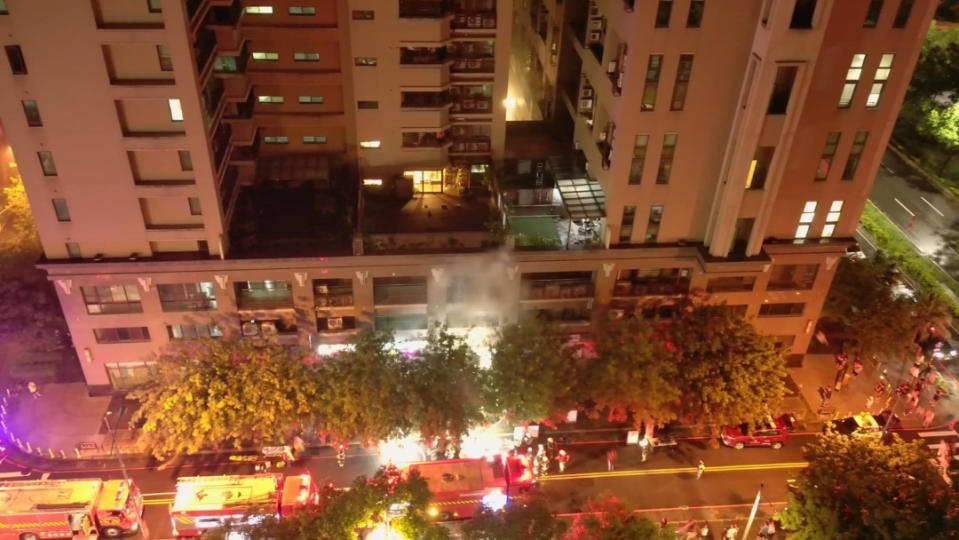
x=533, y=372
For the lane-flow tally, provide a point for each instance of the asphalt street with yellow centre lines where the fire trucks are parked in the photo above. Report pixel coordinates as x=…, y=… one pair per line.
x=664, y=486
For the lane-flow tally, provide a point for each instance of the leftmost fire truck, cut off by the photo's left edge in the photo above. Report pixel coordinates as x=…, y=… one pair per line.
x=34, y=509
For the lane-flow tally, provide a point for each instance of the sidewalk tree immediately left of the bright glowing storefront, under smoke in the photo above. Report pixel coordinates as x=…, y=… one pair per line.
x=445, y=378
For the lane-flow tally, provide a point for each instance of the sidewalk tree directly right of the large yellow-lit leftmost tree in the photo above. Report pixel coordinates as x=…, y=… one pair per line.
x=366, y=392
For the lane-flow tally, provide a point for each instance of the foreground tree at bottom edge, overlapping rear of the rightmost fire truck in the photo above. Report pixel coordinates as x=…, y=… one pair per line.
x=343, y=514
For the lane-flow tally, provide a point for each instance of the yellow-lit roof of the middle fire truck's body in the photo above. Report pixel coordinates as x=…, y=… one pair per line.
x=228, y=491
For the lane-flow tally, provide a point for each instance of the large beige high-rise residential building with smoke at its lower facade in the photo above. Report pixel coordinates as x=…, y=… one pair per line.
x=297, y=169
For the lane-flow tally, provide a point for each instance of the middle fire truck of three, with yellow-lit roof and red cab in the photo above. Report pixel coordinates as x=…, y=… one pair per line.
x=207, y=502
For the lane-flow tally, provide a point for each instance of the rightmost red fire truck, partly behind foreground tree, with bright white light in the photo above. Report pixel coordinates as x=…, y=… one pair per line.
x=463, y=487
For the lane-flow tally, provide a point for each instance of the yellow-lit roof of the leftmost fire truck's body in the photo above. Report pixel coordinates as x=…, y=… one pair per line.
x=42, y=496
